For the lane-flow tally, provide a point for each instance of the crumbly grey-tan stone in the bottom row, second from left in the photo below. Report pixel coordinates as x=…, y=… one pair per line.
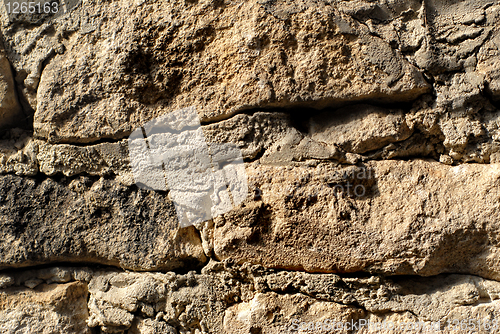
x=187, y=302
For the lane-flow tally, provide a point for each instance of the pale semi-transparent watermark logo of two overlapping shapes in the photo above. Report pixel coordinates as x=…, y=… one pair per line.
x=204, y=180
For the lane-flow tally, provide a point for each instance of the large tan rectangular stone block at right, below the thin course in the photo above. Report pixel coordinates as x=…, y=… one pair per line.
x=393, y=217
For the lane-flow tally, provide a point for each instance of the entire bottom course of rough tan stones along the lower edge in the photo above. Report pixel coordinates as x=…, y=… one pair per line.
x=225, y=298
